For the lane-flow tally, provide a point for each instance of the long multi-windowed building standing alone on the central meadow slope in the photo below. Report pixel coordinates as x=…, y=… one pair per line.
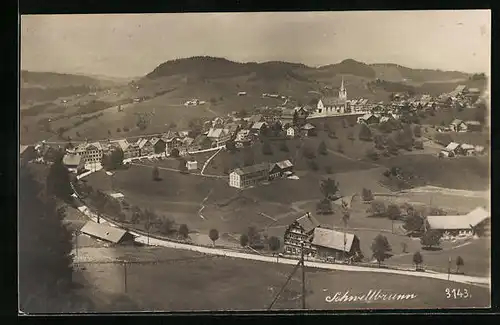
x=252, y=175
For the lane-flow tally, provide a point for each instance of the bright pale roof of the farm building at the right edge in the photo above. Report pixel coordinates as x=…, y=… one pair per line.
x=465, y=221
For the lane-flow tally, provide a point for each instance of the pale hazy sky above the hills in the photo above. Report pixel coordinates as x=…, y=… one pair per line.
x=133, y=45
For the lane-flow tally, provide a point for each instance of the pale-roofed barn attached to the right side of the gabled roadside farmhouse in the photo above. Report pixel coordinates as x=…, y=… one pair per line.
x=332, y=243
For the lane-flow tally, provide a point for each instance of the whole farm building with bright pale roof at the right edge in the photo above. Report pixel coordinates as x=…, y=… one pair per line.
x=459, y=225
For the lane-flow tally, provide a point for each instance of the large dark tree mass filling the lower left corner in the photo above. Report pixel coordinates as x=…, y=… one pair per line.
x=44, y=250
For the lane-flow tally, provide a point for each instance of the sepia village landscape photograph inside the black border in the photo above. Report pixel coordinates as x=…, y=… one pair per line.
x=254, y=161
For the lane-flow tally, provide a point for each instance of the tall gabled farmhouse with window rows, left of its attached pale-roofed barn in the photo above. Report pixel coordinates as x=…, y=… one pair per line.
x=299, y=233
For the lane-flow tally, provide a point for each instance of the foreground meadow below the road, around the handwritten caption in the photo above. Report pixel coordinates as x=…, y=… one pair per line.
x=216, y=283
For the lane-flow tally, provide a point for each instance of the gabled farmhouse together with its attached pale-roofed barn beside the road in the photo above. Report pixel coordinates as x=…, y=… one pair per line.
x=306, y=234
